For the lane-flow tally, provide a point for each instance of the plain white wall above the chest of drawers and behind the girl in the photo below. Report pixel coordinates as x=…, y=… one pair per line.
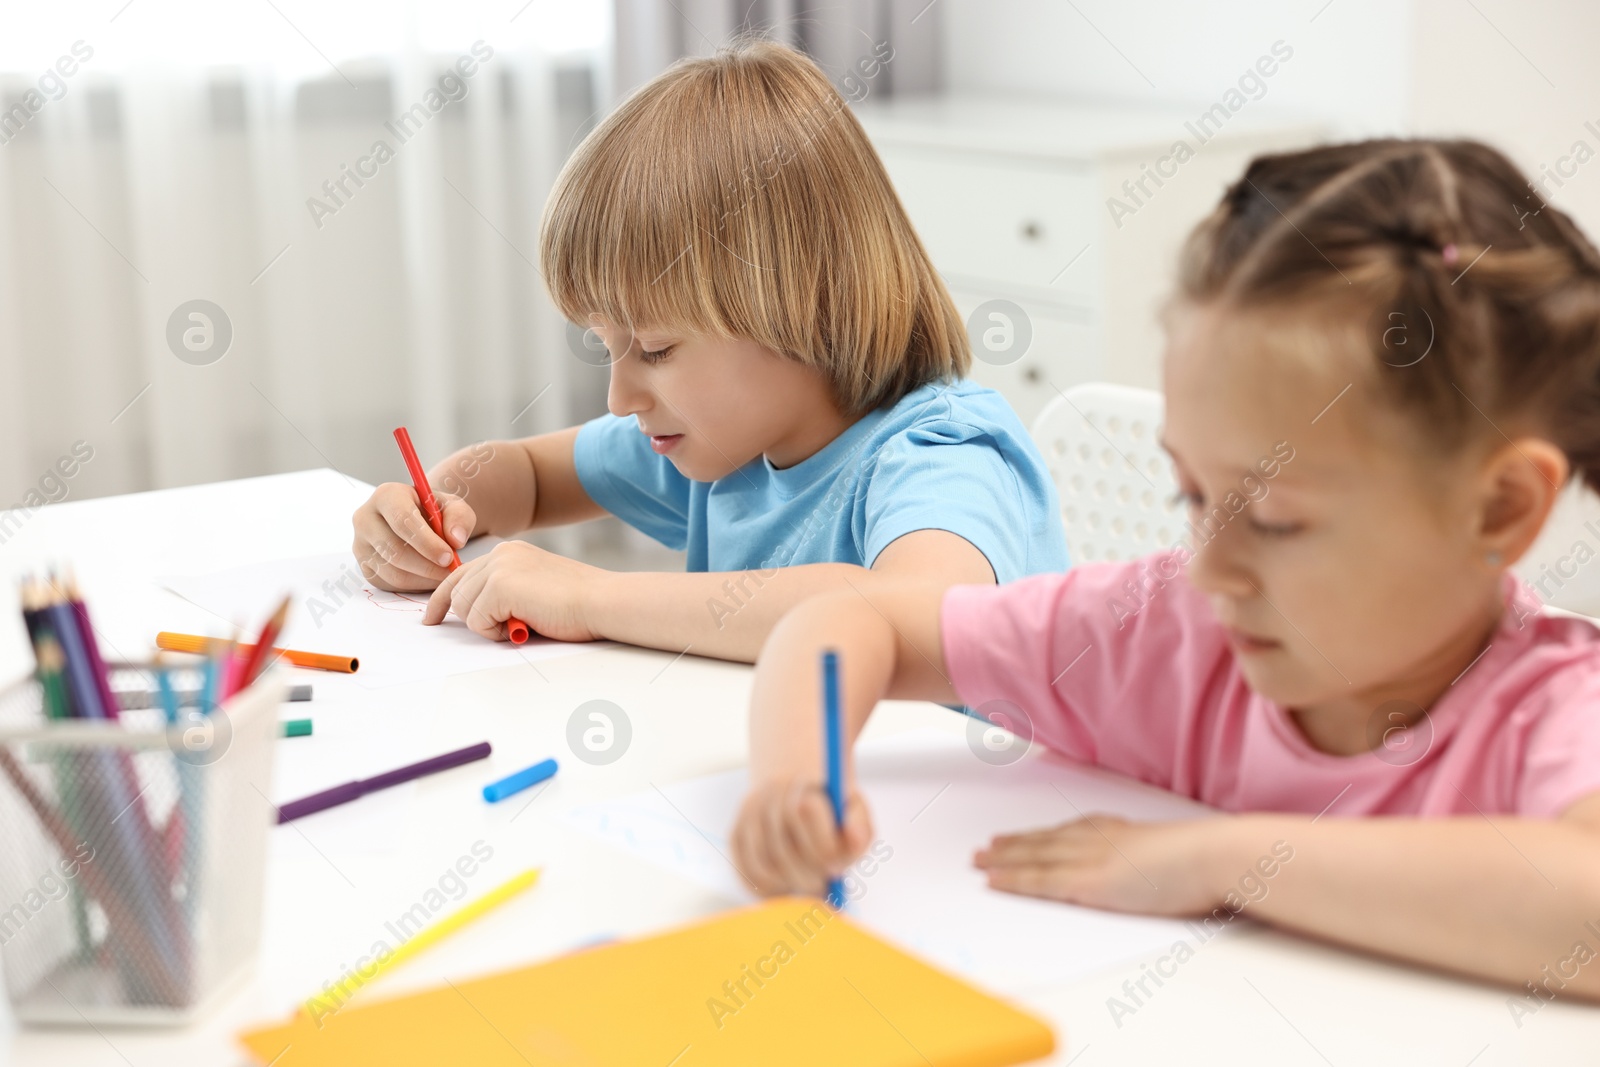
x=1519, y=76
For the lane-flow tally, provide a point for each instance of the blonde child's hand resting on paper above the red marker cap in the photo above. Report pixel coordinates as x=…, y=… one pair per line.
x=546, y=591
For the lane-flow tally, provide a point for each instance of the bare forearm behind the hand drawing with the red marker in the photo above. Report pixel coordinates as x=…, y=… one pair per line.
x=518, y=486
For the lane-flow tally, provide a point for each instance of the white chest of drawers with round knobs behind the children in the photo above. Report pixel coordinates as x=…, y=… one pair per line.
x=1014, y=201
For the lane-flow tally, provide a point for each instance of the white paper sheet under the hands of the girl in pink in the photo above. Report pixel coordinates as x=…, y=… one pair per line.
x=934, y=804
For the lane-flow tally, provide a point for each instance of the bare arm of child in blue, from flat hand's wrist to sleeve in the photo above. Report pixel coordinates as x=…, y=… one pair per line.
x=730, y=615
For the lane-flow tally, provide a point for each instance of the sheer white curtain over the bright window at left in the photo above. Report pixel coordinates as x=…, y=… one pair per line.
x=158, y=182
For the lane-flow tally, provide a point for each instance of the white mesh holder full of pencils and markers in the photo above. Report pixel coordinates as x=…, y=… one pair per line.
x=134, y=857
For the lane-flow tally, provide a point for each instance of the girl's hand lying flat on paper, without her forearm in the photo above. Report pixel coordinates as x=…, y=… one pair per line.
x=1110, y=863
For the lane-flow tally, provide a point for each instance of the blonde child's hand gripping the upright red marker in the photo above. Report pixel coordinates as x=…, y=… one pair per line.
x=394, y=545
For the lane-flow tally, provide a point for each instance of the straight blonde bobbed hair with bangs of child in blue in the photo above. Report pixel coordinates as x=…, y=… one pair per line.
x=740, y=198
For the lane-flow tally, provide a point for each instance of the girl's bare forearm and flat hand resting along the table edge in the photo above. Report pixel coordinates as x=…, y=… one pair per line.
x=1498, y=898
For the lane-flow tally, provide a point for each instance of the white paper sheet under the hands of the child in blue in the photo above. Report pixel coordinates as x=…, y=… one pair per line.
x=335, y=612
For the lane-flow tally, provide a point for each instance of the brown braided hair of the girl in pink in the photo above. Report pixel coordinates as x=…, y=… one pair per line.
x=1479, y=303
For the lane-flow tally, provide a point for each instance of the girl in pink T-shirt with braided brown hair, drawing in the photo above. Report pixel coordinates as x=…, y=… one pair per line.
x=1383, y=367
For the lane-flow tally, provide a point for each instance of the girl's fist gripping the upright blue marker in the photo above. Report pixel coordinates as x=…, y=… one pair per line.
x=785, y=839
